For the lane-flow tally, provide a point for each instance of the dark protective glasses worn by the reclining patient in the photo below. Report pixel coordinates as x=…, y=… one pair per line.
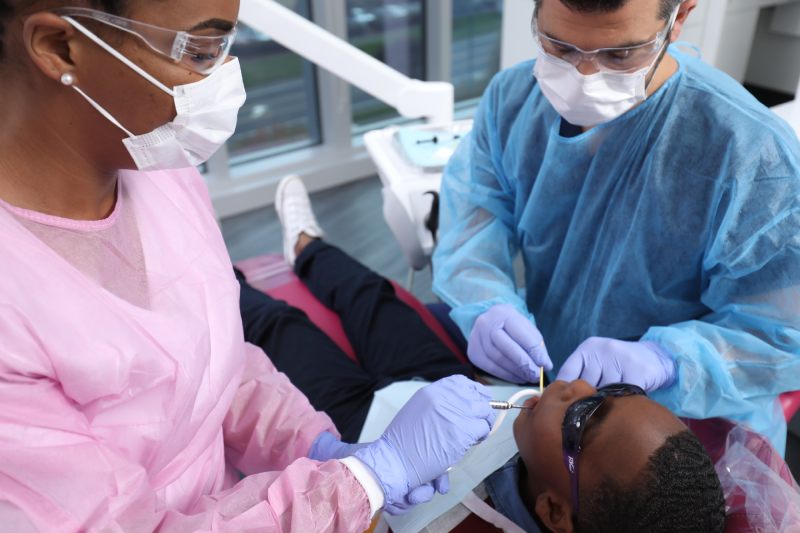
x=575, y=420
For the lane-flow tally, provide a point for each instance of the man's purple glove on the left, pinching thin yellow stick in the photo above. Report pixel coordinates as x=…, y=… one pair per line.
x=506, y=344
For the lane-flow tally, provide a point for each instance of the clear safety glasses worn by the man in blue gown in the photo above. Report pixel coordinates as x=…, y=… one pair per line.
x=623, y=59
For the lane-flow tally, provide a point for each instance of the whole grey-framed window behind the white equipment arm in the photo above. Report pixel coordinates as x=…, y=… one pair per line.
x=289, y=126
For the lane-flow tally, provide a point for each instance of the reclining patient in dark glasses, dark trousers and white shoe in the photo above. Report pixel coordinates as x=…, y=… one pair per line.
x=633, y=466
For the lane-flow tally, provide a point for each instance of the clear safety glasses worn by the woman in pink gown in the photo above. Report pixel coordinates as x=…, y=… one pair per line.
x=200, y=53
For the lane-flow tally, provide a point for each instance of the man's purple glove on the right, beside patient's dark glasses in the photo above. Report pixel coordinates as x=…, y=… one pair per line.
x=601, y=361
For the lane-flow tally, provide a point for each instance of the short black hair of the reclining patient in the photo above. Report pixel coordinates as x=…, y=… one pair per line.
x=678, y=492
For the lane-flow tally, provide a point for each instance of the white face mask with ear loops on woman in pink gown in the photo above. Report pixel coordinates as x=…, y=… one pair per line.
x=207, y=112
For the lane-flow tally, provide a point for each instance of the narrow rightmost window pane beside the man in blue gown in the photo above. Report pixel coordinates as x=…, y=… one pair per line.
x=476, y=45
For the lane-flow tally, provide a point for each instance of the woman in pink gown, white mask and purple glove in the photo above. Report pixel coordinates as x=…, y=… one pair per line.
x=130, y=400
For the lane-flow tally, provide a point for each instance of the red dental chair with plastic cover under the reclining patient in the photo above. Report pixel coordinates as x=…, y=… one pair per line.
x=762, y=497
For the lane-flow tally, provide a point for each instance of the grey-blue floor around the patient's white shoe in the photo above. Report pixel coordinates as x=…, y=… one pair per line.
x=360, y=230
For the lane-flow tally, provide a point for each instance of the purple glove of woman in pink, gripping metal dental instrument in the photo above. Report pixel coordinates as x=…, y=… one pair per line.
x=431, y=433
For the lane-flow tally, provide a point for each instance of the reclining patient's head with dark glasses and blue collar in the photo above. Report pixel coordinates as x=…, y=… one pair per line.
x=607, y=460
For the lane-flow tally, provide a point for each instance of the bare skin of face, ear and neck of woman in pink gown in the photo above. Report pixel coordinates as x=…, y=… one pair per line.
x=62, y=133
